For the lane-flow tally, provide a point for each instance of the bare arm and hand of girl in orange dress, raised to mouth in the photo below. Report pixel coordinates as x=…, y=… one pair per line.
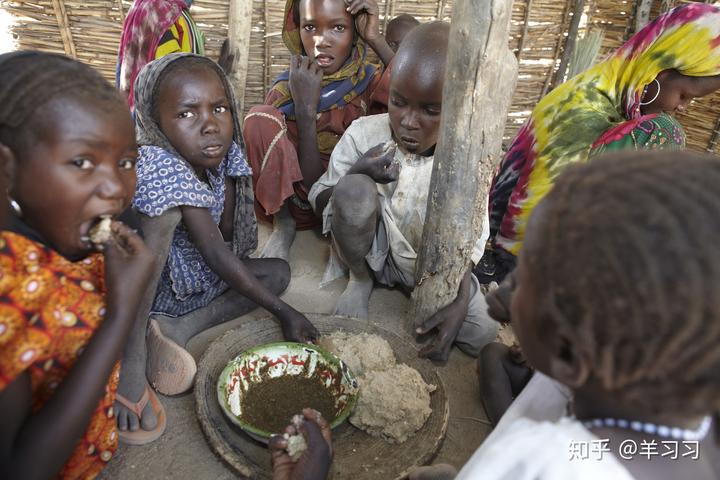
x=37, y=445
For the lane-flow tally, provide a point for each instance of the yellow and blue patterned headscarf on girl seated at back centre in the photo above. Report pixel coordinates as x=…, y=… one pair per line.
x=338, y=89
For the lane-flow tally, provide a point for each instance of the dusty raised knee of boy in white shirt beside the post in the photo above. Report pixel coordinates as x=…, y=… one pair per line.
x=355, y=198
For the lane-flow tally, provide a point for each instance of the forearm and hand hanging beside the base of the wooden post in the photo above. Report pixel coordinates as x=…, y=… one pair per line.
x=447, y=321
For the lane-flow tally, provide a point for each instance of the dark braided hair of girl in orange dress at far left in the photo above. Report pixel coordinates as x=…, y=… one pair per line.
x=29, y=79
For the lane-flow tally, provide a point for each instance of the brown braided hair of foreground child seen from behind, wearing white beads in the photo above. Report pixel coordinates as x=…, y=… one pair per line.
x=626, y=258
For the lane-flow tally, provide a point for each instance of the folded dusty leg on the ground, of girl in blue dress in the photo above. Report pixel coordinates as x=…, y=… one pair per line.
x=271, y=272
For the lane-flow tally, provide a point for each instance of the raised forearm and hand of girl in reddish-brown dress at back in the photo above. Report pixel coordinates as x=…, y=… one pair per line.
x=305, y=81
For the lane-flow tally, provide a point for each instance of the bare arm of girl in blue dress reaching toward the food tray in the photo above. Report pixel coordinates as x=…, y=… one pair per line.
x=206, y=236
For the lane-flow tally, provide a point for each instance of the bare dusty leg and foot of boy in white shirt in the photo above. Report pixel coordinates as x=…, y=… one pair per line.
x=355, y=216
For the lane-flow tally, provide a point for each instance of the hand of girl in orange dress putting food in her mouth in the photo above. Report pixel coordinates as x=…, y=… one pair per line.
x=128, y=266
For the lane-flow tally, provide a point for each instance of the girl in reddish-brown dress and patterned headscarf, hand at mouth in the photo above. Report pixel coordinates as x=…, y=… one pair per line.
x=329, y=84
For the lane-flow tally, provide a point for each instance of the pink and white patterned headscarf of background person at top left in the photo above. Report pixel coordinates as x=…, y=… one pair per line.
x=146, y=23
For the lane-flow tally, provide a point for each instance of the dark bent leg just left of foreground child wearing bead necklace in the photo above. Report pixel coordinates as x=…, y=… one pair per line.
x=501, y=379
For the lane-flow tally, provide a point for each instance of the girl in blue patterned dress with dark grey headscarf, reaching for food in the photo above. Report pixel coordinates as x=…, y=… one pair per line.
x=192, y=158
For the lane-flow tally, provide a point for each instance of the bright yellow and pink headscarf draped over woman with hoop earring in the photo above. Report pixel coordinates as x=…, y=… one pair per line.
x=567, y=122
